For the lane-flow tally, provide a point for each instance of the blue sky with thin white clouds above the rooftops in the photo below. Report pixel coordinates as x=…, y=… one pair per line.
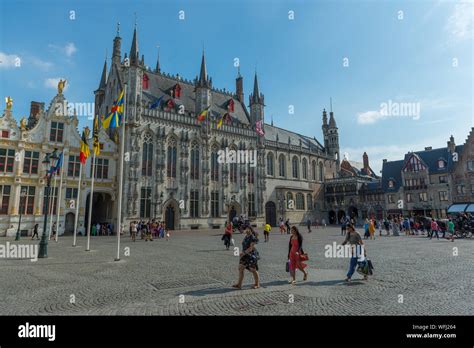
x=417, y=52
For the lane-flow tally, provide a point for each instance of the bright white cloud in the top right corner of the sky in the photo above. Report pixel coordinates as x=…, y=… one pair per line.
x=459, y=24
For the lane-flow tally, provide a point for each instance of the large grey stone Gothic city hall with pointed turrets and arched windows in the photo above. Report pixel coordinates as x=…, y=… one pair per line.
x=174, y=172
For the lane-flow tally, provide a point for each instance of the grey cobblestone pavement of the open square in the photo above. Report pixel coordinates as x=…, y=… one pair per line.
x=194, y=266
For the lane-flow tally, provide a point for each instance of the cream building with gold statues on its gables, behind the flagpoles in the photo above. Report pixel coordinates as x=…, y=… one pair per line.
x=23, y=148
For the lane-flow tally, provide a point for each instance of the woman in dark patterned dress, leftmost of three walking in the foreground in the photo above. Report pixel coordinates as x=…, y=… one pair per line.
x=248, y=259
